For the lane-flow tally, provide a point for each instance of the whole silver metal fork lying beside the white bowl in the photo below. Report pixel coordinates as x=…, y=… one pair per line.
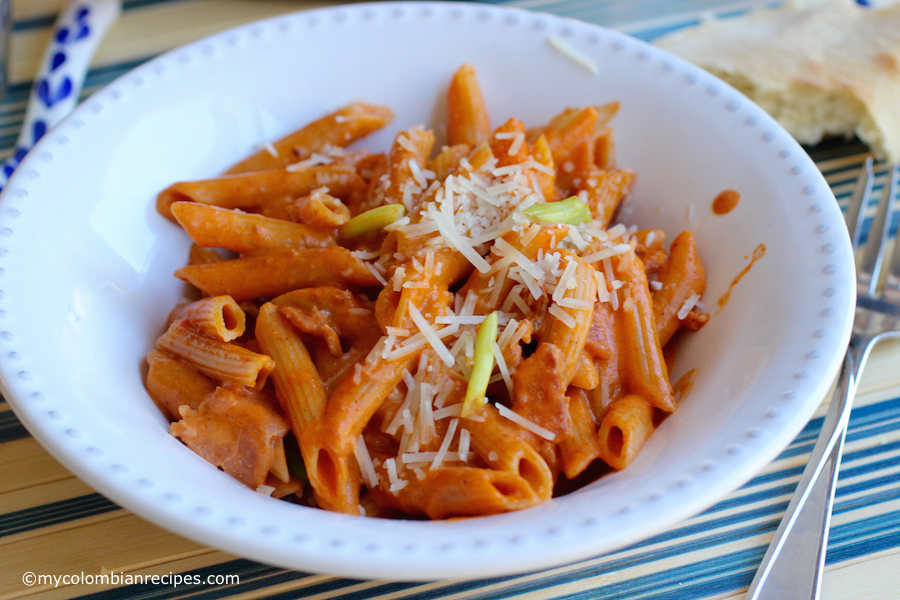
x=795, y=560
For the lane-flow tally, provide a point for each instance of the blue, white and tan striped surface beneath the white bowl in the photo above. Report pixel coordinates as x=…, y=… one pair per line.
x=53, y=524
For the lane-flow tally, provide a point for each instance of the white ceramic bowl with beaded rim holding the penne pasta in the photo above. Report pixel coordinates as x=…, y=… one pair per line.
x=87, y=264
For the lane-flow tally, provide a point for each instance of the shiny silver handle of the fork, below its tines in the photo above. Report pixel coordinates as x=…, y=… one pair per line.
x=795, y=560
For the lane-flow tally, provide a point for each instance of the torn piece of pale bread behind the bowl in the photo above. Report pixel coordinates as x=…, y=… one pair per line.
x=819, y=67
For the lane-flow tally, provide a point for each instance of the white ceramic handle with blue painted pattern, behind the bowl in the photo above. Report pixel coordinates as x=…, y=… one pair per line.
x=77, y=33
